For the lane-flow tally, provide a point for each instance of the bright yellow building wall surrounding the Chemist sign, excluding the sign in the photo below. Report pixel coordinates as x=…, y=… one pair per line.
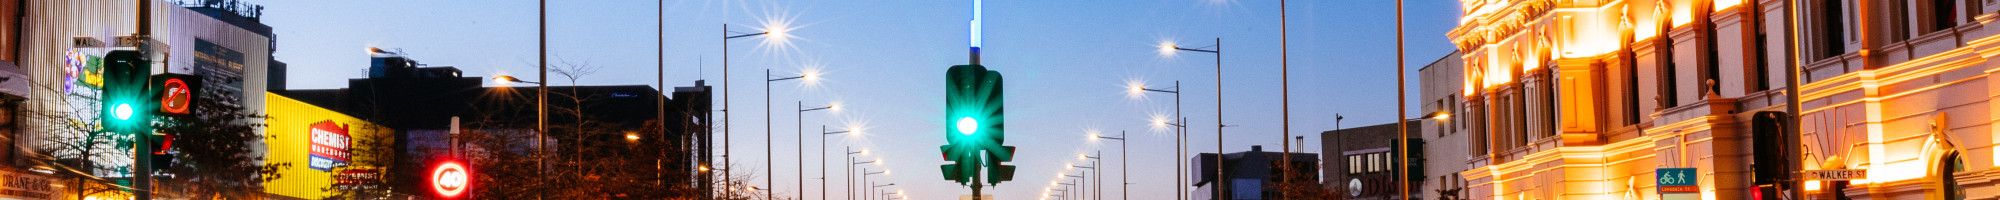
x=289, y=137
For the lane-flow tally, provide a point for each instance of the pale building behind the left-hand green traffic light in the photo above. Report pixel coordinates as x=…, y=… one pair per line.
x=53, y=53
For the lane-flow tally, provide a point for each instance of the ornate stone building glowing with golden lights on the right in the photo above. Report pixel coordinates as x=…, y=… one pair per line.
x=1585, y=99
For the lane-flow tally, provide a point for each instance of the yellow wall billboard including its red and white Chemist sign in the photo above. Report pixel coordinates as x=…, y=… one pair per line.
x=325, y=149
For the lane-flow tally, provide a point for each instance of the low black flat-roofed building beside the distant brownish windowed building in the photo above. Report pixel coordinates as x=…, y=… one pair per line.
x=1251, y=175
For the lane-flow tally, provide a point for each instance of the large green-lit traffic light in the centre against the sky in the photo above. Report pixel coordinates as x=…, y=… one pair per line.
x=975, y=129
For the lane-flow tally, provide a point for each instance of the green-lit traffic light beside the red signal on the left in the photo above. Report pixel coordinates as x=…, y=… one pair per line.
x=125, y=101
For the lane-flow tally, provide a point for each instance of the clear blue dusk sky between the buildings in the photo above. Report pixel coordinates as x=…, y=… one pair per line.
x=1067, y=67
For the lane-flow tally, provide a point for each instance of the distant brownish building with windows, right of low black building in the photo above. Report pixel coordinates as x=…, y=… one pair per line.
x=1361, y=163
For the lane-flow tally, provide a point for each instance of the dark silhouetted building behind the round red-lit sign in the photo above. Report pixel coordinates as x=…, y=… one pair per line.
x=661, y=157
